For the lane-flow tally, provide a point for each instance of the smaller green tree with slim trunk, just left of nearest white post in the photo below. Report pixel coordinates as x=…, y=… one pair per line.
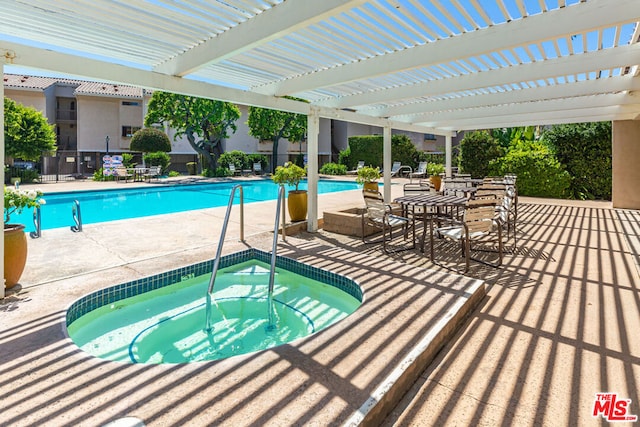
x=266, y=124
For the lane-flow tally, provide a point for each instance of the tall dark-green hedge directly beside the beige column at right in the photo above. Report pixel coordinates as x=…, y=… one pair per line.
x=585, y=151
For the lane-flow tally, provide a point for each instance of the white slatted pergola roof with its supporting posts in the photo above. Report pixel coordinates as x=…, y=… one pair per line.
x=431, y=66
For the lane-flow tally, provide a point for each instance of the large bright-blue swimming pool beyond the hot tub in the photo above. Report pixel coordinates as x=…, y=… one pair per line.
x=110, y=205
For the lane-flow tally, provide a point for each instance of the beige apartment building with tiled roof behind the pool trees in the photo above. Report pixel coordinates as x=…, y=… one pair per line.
x=93, y=119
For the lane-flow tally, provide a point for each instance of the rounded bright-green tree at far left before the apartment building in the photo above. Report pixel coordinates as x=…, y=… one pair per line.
x=27, y=134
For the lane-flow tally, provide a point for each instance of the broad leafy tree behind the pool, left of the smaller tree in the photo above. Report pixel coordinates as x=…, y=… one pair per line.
x=204, y=122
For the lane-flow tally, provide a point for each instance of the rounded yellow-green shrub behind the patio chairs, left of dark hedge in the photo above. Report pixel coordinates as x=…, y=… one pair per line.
x=539, y=173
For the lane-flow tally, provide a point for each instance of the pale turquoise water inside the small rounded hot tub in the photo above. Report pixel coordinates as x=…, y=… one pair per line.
x=167, y=325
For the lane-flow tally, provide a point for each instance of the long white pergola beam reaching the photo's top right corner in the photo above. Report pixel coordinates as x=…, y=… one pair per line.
x=534, y=29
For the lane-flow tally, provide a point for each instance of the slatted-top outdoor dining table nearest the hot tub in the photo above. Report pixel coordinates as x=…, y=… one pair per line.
x=431, y=204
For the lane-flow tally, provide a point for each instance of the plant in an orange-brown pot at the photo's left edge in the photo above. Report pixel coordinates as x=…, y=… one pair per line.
x=15, y=239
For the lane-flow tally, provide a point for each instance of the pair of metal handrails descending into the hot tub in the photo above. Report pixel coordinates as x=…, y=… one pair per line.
x=216, y=262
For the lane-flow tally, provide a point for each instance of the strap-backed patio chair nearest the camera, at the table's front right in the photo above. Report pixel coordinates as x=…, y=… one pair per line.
x=478, y=223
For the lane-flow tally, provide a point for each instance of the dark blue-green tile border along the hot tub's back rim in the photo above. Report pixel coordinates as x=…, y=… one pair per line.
x=115, y=293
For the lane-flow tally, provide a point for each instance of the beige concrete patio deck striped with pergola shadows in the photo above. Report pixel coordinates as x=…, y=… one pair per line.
x=558, y=325
